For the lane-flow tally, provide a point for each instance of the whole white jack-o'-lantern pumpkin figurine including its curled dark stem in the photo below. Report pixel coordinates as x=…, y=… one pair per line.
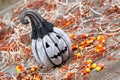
x=50, y=45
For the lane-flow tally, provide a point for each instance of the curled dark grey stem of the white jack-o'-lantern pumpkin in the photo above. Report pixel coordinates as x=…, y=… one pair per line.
x=40, y=27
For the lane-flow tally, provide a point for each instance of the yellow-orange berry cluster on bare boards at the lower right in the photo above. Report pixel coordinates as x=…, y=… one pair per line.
x=90, y=66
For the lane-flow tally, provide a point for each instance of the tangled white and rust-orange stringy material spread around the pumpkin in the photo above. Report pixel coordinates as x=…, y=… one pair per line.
x=92, y=17
